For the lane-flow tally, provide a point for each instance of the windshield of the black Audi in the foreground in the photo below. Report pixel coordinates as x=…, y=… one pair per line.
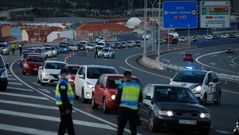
x=174, y=94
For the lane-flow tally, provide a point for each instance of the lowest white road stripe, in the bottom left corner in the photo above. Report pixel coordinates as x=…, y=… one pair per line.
x=25, y=130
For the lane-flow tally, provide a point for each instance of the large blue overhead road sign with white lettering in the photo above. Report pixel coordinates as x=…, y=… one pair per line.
x=180, y=14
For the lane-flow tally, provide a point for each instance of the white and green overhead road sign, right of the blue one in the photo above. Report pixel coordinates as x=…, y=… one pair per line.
x=215, y=14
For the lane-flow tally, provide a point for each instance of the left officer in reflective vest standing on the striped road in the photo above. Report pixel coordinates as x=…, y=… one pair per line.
x=64, y=97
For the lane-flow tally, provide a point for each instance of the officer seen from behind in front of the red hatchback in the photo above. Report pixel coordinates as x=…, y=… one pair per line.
x=128, y=97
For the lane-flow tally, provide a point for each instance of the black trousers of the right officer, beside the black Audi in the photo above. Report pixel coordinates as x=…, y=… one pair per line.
x=126, y=115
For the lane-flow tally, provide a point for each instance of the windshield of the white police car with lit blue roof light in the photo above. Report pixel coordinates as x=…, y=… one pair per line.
x=190, y=76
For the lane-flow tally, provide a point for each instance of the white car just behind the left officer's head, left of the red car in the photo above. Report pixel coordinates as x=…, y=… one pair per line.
x=48, y=73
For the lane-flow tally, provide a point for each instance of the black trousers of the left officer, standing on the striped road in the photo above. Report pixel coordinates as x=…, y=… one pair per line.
x=66, y=123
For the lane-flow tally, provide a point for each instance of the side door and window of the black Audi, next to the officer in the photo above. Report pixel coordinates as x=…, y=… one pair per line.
x=146, y=104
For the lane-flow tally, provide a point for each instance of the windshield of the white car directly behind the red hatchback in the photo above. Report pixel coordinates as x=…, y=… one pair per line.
x=95, y=73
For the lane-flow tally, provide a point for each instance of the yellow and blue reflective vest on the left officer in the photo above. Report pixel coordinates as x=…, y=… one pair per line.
x=70, y=93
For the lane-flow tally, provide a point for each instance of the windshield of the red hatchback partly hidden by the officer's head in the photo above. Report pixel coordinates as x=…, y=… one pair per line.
x=114, y=82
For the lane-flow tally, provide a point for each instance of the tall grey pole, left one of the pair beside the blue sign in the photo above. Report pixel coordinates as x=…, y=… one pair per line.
x=145, y=26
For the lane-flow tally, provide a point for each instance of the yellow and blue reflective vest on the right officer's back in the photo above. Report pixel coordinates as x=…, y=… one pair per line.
x=130, y=95
